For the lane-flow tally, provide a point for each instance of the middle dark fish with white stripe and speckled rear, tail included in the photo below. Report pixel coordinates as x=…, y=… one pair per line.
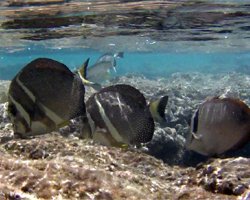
x=119, y=115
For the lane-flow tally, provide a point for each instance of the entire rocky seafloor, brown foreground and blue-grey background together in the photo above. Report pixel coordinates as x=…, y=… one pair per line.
x=62, y=166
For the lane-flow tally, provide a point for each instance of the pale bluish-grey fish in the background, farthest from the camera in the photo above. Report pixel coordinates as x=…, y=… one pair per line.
x=100, y=71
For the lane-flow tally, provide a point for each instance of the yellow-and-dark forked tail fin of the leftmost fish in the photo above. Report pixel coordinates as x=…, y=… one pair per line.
x=82, y=72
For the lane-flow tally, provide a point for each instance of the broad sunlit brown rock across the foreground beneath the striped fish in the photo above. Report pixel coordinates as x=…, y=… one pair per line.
x=52, y=166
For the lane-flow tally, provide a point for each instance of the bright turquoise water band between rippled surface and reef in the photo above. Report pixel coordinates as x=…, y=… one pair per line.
x=152, y=64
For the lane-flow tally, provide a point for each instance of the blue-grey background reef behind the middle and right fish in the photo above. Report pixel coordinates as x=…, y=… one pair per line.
x=186, y=91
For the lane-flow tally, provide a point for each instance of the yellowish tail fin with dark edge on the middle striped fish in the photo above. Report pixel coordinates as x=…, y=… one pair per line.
x=157, y=109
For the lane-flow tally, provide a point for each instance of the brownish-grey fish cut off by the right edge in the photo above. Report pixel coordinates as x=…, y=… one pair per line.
x=219, y=125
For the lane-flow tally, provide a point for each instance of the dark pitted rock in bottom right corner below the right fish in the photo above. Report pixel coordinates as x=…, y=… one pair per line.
x=228, y=176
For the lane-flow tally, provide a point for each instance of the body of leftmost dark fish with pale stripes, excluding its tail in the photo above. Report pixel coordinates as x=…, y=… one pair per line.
x=43, y=97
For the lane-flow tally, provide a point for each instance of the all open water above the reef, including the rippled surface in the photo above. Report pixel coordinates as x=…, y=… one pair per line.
x=158, y=40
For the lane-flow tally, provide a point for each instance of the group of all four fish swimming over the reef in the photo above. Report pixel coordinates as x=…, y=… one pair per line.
x=45, y=95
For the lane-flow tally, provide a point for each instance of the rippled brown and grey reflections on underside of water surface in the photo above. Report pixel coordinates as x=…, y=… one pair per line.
x=155, y=25
